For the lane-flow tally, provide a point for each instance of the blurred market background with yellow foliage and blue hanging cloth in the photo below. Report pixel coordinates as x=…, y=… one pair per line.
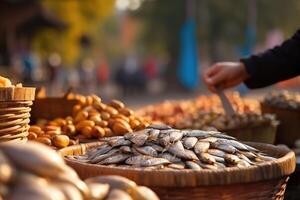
x=141, y=51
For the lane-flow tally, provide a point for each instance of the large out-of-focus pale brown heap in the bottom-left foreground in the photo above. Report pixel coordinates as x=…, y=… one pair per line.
x=33, y=171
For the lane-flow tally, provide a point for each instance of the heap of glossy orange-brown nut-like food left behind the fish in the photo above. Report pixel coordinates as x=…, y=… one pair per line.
x=91, y=118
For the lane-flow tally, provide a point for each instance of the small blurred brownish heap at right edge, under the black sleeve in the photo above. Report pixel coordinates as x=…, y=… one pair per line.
x=283, y=99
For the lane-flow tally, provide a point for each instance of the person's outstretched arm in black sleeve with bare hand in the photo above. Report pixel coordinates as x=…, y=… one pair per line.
x=279, y=63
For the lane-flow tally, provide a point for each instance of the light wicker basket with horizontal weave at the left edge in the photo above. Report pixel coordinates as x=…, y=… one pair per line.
x=15, y=110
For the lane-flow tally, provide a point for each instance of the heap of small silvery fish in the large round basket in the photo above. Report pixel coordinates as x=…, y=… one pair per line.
x=161, y=147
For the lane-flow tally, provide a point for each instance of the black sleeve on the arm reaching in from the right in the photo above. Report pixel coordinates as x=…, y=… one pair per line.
x=274, y=65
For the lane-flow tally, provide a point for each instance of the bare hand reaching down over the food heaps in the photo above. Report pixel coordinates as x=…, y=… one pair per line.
x=225, y=75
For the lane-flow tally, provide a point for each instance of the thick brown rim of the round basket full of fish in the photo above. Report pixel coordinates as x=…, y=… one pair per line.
x=283, y=166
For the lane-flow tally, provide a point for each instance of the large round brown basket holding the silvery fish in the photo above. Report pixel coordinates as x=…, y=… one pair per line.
x=264, y=181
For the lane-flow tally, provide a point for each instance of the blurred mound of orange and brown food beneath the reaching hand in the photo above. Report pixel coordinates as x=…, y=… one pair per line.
x=206, y=112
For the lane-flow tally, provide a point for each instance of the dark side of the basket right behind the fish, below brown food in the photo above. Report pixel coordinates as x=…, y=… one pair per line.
x=265, y=133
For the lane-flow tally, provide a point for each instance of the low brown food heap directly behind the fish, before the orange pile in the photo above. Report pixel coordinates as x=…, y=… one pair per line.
x=222, y=122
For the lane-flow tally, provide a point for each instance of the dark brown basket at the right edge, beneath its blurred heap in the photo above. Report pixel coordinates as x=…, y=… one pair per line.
x=289, y=127
